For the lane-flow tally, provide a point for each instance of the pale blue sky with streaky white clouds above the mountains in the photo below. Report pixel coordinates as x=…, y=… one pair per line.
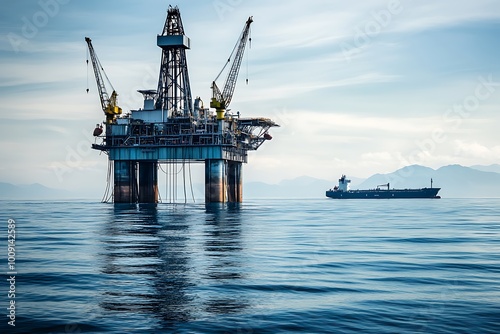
x=358, y=88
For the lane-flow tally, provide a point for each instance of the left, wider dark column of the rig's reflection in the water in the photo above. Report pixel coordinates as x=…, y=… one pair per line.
x=146, y=263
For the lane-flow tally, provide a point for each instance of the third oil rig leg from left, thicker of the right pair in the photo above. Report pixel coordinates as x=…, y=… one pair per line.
x=215, y=181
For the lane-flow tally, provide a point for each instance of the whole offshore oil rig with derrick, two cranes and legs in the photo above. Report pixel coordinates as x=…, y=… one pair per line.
x=171, y=129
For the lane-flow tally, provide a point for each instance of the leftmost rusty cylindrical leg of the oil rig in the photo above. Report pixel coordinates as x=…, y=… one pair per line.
x=125, y=182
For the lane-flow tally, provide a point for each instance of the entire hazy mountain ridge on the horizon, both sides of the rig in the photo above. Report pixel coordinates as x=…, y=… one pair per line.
x=454, y=180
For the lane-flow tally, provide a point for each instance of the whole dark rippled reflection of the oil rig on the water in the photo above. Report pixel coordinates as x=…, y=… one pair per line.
x=175, y=263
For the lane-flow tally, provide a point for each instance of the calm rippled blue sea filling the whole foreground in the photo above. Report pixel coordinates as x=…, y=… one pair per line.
x=277, y=266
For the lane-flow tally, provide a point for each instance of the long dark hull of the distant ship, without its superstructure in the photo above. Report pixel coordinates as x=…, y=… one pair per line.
x=380, y=193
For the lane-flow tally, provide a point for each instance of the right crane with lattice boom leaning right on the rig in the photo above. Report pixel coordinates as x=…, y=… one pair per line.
x=220, y=100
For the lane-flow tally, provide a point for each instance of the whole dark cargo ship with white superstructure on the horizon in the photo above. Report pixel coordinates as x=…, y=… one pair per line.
x=342, y=191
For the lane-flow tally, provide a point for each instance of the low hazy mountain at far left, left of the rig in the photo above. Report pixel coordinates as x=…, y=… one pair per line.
x=33, y=191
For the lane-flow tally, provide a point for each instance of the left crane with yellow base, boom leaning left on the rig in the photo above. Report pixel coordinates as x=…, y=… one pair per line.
x=108, y=103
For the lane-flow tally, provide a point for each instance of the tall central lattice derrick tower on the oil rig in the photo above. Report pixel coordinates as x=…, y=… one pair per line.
x=174, y=91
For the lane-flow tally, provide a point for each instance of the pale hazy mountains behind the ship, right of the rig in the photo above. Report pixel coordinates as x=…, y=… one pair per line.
x=455, y=181
